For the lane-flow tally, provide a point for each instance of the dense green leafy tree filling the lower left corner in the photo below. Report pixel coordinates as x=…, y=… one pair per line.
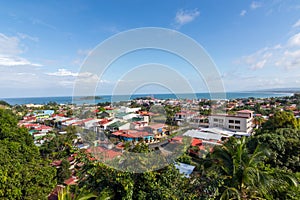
x=23, y=174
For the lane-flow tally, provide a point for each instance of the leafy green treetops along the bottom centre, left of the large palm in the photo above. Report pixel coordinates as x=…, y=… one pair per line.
x=107, y=182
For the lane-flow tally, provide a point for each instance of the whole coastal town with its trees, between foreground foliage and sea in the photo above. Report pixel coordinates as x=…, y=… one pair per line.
x=110, y=129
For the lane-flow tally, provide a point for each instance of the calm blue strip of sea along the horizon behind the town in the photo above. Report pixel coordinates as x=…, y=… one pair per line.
x=109, y=98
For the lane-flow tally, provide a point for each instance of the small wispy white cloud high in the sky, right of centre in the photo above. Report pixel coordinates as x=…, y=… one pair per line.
x=186, y=16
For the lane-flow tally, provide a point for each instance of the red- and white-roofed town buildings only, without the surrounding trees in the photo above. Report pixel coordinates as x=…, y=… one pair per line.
x=114, y=126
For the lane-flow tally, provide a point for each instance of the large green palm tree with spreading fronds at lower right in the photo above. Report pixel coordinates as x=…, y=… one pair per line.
x=244, y=174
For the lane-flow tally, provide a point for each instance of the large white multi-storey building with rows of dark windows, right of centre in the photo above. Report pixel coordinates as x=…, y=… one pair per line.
x=241, y=122
